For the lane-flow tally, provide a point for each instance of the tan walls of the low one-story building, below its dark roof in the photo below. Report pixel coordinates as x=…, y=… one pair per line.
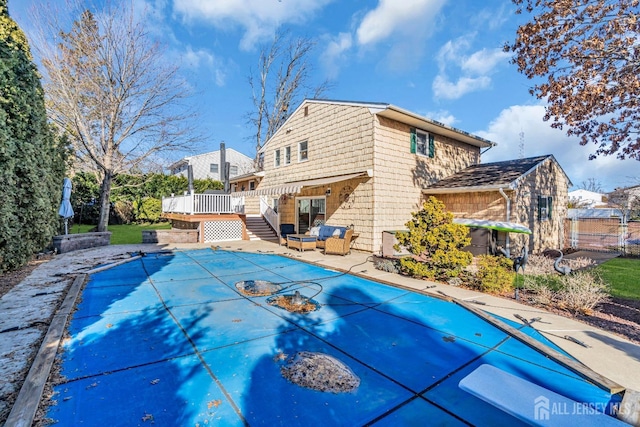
x=547, y=180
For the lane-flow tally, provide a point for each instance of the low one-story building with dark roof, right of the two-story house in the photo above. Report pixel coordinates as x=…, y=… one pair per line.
x=530, y=192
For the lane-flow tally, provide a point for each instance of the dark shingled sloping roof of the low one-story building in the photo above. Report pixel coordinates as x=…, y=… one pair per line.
x=489, y=176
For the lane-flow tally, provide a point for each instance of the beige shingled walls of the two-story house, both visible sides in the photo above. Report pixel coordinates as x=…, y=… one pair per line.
x=344, y=139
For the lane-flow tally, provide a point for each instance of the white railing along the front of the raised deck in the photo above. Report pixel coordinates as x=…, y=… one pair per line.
x=203, y=204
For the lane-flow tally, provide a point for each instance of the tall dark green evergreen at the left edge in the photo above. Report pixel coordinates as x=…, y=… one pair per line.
x=31, y=157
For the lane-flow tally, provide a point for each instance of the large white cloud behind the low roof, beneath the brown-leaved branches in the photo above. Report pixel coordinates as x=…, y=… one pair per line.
x=540, y=139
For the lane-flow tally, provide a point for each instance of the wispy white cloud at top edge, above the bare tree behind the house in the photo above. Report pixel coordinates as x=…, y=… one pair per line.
x=258, y=18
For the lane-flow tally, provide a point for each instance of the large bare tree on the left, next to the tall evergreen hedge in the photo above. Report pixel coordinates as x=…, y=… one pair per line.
x=110, y=89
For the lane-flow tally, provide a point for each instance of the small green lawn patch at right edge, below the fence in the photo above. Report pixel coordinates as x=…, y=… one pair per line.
x=623, y=274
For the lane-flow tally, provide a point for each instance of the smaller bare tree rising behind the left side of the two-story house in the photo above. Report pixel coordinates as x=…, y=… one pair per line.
x=281, y=81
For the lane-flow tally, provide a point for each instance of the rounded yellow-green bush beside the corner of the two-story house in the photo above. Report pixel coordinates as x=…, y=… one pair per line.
x=435, y=242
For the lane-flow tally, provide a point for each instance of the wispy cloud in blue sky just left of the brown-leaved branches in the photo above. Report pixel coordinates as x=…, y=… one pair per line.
x=473, y=69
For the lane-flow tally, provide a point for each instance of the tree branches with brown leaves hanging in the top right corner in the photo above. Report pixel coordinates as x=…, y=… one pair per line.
x=588, y=52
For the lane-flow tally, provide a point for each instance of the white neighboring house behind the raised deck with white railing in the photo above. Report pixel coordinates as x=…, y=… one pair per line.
x=207, y=165
